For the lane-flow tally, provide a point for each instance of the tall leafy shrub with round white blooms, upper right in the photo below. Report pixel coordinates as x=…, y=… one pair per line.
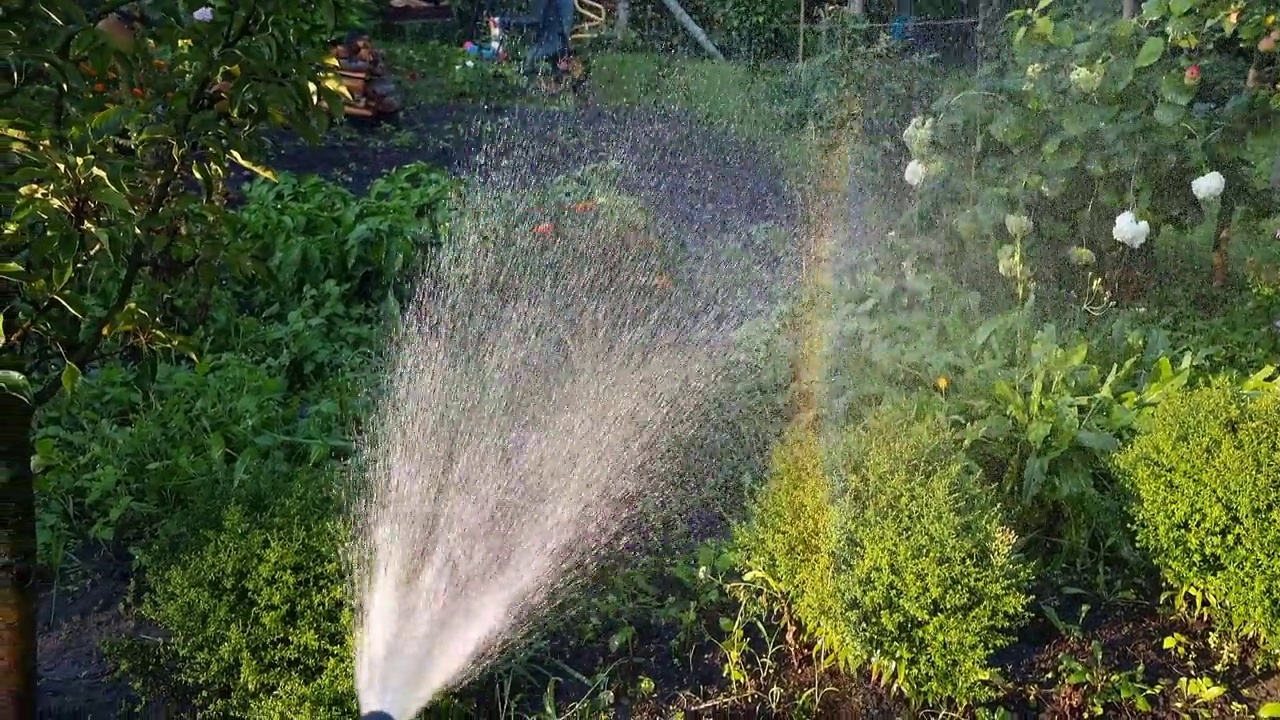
x=1158, y=127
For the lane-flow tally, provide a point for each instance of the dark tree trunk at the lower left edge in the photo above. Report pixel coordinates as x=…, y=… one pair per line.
x=17, y=562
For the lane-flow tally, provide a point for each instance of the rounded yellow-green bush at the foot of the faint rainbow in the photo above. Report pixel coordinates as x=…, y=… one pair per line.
x=894, y=557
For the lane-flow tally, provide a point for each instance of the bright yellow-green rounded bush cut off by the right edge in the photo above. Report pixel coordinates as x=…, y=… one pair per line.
x=1206, y=475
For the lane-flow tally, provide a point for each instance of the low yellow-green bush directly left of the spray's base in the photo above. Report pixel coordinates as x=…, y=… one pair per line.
x=259, y=617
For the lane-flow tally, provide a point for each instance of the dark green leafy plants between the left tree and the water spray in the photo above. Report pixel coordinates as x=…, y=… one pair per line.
x=286, y=354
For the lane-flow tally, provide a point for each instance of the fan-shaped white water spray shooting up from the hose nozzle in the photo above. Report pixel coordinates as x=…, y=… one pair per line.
x=537, y=386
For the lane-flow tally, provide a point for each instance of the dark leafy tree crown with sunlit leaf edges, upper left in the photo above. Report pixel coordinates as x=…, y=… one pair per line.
x=122, y=138
